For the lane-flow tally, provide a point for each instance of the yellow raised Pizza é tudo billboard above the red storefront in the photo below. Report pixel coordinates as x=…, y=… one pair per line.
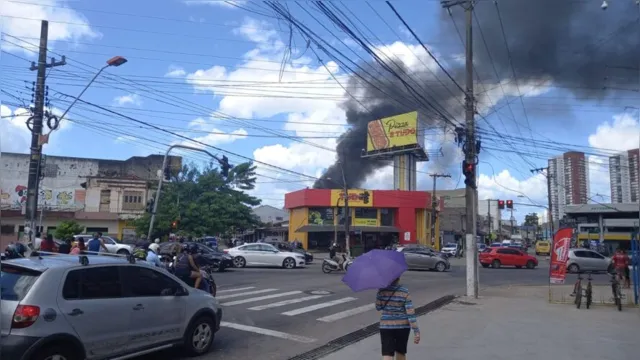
x=399, y=131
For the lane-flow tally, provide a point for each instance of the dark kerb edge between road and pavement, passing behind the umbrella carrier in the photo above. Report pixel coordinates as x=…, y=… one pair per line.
x=361, y=334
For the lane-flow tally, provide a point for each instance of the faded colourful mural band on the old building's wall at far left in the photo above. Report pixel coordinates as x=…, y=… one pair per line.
x=17, y=196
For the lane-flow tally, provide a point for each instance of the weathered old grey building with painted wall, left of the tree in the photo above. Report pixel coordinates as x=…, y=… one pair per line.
x=102, y=195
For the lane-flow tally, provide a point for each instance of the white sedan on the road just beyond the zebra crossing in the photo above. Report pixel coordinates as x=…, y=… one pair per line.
x=261, y=254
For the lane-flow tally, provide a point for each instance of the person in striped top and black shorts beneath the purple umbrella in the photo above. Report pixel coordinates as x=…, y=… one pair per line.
x=397, y=320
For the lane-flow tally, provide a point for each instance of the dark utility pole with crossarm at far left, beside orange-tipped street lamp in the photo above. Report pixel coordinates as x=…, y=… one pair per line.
x=36, y=128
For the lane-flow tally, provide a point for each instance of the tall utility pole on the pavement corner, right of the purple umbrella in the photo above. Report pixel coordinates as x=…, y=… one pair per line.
x=469, y=148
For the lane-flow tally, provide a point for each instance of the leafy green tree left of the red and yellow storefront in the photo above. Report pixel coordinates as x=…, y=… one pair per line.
x=203, y=202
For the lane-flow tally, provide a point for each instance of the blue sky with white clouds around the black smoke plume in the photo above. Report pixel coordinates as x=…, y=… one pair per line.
x=189, y=60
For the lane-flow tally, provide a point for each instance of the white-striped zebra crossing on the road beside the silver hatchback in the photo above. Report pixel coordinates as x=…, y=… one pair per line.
x=292, y=303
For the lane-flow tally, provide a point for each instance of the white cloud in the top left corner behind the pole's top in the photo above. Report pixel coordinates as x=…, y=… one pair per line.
x=65, y=24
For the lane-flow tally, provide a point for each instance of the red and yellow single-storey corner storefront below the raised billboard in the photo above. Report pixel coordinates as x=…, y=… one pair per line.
x=377, y=217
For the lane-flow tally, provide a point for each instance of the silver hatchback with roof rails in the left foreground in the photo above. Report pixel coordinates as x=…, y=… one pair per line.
x=88, y=307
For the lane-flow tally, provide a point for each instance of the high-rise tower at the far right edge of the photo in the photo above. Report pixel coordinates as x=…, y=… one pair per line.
x=623, y=174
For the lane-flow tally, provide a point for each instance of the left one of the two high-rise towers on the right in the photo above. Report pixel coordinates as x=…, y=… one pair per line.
x=569, y=181
